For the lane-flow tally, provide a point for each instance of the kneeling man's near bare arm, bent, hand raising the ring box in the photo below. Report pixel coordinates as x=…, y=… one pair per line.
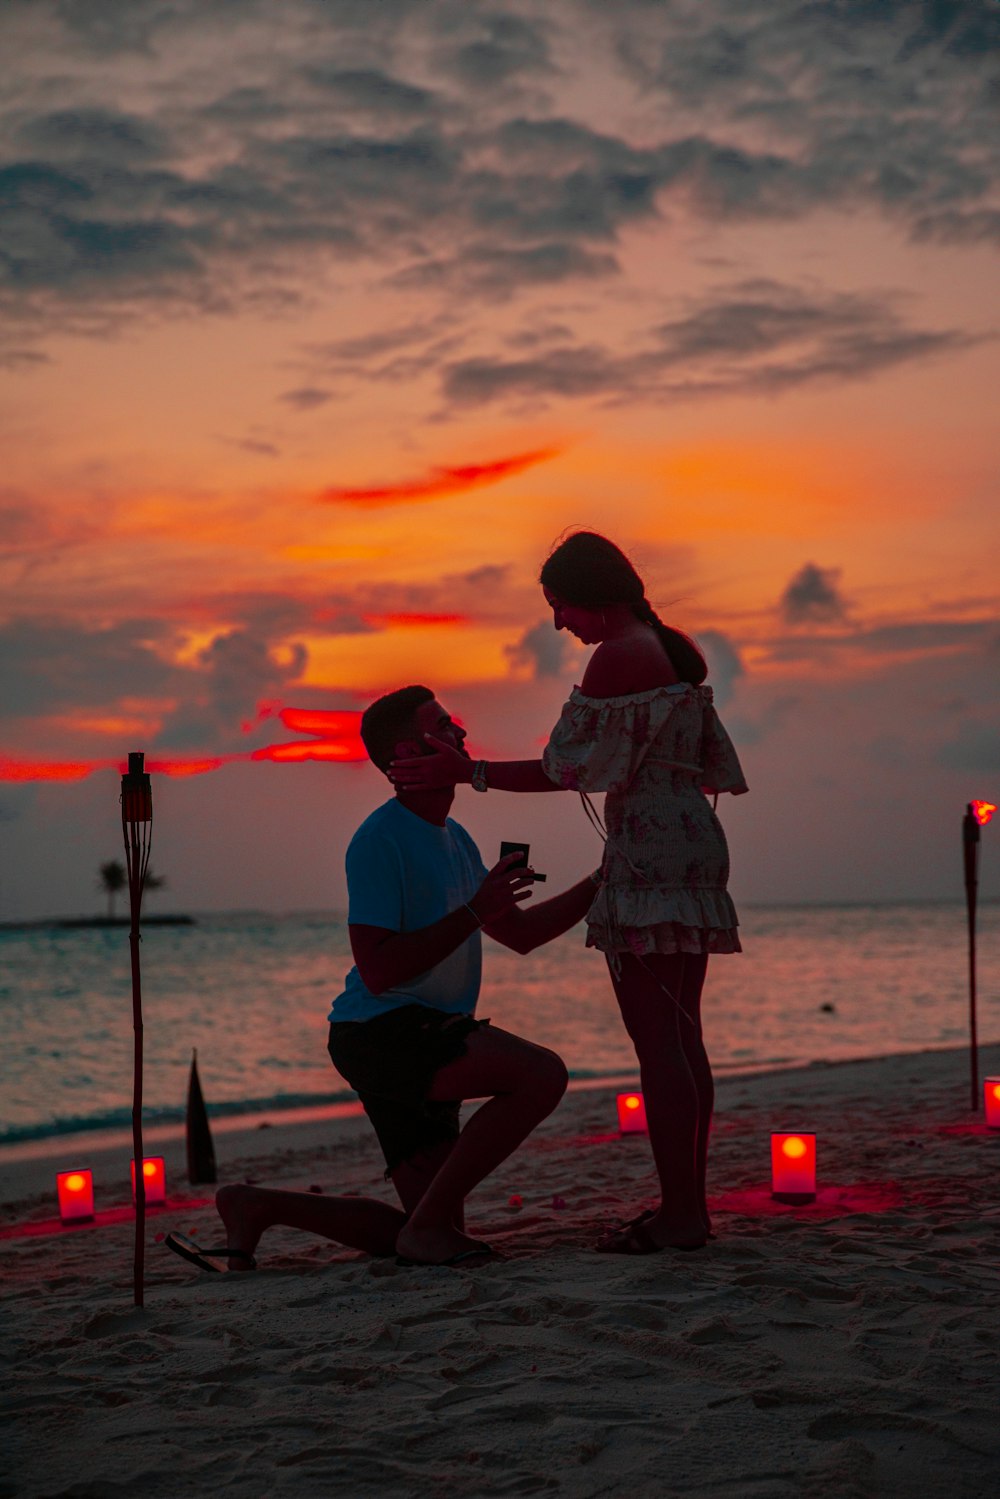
x=388, y=959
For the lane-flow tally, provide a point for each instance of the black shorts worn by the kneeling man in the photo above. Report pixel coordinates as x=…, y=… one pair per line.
x=391, y=1062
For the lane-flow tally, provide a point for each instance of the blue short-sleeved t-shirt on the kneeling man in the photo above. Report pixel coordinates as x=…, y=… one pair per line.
x=406, y=873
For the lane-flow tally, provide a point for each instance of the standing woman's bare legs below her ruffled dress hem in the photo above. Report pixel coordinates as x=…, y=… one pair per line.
x=651, y=993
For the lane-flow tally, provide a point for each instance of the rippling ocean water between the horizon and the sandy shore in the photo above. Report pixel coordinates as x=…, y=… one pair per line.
x=253, y=993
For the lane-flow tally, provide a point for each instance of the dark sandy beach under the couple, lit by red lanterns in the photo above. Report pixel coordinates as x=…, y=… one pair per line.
x=843, y=1350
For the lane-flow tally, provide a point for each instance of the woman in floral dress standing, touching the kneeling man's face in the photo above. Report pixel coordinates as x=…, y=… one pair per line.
x=642, y=729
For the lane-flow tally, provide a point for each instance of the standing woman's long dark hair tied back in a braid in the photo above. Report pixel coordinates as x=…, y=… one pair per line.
x=591, y=572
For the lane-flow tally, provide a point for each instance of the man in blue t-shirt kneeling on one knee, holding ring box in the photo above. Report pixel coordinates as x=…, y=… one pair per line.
x=404, y=1032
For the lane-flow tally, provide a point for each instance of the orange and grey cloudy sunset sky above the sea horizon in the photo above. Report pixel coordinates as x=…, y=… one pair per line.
x=322, y=323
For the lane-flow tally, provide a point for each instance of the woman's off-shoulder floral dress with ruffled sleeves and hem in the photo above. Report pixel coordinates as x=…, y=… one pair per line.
x=666, y=863
